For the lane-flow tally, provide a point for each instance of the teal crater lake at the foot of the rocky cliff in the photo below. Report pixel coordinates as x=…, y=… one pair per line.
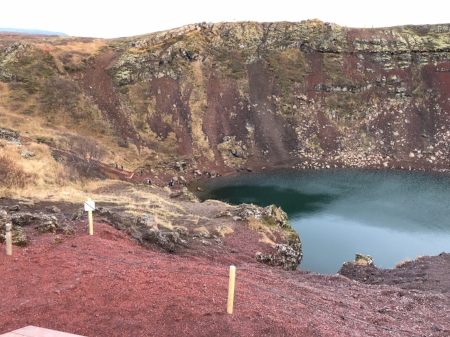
x=392, y=216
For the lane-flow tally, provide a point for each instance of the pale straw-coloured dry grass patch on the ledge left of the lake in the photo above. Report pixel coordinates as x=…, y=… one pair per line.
x=48, y=182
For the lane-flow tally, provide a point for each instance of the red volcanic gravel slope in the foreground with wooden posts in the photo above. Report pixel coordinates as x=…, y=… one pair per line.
x=108, y=285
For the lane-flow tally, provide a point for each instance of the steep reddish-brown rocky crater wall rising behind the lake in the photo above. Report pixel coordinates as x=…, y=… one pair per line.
x=230, y=96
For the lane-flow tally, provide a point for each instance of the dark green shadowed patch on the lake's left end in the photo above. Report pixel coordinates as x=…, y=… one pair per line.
x=293, y=202
